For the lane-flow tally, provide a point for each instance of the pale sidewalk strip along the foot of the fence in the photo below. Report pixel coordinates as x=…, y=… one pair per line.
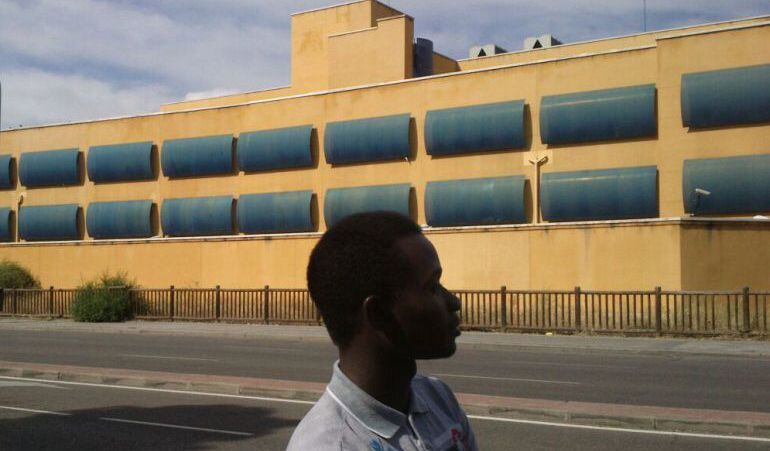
x=708, y=346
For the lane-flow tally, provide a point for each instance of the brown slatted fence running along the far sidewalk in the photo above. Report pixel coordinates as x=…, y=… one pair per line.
x=646, y=312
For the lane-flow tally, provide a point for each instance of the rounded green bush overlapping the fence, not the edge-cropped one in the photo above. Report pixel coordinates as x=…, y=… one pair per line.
x=105, y=299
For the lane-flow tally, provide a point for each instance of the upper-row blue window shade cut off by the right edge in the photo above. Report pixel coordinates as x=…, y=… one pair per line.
x=726, y=97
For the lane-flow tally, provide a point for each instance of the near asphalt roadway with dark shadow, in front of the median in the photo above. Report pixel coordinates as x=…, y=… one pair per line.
x=69, y=416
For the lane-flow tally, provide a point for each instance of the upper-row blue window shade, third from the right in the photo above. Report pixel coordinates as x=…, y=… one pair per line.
x=480, y=128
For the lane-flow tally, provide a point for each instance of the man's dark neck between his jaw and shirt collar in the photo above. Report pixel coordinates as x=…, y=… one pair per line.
x=385, y=378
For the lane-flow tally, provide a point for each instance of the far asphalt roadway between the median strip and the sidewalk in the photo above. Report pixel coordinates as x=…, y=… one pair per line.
x=636, y=378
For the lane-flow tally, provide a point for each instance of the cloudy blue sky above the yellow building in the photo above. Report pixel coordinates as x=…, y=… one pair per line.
x=72, y=60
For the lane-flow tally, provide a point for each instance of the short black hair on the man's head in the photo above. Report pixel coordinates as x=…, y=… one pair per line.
x=354, y=259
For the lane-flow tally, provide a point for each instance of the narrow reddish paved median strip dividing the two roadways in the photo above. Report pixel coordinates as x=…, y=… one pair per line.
x=753, y=424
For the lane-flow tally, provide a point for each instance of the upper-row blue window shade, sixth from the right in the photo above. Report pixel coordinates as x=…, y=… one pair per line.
x=190, y=157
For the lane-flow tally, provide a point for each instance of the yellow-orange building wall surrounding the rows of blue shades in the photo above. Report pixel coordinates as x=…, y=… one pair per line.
x=635, y=256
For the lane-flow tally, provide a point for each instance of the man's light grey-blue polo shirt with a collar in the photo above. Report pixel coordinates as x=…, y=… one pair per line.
x=348, y=418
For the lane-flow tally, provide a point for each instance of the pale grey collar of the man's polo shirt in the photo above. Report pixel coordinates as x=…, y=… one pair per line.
x=374, y=415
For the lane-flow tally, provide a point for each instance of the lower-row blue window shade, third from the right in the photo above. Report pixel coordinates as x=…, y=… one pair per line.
x=498, y=200
